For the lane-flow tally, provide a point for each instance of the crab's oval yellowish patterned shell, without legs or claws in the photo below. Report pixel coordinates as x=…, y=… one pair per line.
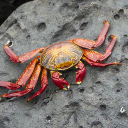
x=61, y=56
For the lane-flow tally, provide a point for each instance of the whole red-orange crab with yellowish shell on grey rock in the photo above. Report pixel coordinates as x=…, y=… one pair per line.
x=57, y=57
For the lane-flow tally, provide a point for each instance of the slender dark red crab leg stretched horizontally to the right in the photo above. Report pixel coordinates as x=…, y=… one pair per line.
x=95, y=64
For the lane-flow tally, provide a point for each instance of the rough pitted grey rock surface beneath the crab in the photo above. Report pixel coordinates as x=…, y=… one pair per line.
x=95, y=103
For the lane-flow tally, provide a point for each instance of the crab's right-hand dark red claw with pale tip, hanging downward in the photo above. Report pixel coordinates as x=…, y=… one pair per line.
x=80, y=74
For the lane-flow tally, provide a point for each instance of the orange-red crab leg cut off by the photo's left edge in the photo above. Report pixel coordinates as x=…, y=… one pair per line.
x=22, y=79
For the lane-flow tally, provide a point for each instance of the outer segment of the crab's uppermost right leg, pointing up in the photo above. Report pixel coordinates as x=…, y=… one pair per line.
x=102, y=34
